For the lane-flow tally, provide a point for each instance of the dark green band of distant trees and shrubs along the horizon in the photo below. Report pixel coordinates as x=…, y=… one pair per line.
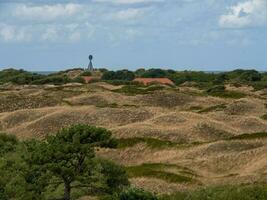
x=238, y=77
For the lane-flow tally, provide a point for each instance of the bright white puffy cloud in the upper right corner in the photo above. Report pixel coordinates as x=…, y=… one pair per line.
x=245, y=14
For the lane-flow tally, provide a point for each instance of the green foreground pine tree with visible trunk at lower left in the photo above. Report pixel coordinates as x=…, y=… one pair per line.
x=68, y=155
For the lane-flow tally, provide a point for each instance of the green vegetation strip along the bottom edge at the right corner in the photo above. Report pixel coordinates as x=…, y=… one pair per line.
x=240, y=192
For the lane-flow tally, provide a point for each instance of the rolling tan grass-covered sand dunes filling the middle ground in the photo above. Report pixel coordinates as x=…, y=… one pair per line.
x=171, y=115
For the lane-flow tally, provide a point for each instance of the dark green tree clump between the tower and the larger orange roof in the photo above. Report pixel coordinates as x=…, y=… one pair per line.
x=125, y=75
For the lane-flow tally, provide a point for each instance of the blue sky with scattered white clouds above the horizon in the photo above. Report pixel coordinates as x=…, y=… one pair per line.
x=209, y=35
